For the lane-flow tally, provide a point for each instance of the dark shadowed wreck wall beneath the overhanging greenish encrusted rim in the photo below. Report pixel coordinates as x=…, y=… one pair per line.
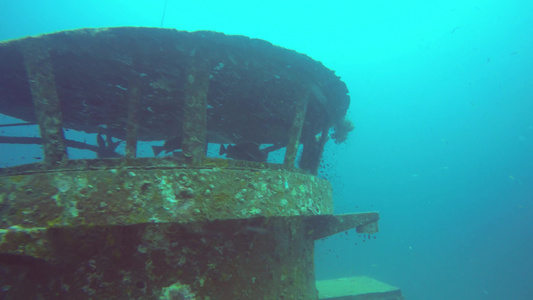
x=257, y=258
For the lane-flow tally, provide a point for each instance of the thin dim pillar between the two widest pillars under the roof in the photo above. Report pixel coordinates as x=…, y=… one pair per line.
x=132, y=127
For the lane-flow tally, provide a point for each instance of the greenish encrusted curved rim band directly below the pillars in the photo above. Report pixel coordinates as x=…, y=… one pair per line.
x=122, y=196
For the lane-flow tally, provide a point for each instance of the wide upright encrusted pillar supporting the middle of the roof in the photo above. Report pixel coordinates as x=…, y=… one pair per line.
x=194, y=113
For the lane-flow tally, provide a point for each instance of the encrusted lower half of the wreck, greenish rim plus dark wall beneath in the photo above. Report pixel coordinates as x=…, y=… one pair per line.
x=148, y=233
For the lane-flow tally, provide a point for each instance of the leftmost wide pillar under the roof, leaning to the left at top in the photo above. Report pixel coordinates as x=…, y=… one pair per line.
x=45, y=100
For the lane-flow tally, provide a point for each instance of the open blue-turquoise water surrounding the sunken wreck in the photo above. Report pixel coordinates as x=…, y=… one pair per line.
x=442, y=100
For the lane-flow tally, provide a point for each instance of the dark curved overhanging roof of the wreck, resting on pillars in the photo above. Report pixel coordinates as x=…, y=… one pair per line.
x=96, y=73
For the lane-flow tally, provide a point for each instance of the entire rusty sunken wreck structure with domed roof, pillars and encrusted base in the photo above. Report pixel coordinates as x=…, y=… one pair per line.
x=186, y=226
